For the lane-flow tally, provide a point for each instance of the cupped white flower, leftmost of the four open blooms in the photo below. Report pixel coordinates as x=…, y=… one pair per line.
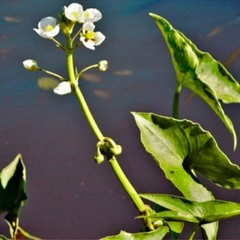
x=48, y=27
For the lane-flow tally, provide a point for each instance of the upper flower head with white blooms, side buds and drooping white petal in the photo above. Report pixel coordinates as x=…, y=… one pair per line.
x=49, y=27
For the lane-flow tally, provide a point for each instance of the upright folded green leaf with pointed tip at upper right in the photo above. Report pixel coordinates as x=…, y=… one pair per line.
x=199, y=72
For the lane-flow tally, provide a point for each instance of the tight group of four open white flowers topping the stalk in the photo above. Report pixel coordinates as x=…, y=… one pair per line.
x=49, y=27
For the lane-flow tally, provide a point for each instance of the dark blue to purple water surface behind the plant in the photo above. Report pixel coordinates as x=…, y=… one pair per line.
x=71, y=197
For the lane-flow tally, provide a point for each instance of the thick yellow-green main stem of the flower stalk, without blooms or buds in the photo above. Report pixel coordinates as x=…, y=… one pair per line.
x=113, y=161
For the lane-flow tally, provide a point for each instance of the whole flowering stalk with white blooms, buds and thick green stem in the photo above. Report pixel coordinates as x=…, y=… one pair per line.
x=48, y=28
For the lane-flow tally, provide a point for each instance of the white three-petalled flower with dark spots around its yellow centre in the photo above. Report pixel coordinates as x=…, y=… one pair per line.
x=89, y=38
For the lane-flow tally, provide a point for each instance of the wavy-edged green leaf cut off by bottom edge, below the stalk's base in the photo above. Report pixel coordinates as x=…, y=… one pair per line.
x=156, y=234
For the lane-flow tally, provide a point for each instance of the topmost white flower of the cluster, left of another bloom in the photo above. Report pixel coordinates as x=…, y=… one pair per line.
x=74, y=12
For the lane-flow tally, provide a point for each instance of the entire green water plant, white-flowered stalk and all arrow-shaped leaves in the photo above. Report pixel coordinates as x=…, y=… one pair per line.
x=180, y=147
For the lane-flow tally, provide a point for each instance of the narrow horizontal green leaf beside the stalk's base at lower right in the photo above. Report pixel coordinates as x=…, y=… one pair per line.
x=203, y=212
